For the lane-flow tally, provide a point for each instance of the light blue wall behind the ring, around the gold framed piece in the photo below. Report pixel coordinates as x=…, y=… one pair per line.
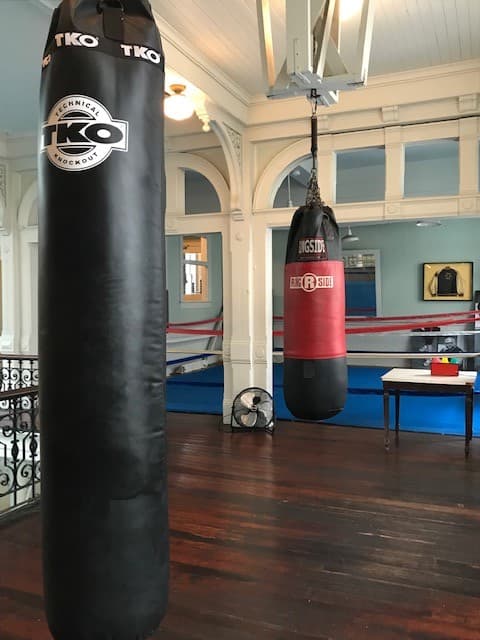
x=404, y=247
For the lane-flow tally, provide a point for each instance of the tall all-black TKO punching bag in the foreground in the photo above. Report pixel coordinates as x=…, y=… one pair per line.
x=102, y=322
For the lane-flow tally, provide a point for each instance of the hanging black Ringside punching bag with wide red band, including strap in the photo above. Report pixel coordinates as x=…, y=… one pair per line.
x=315, y=368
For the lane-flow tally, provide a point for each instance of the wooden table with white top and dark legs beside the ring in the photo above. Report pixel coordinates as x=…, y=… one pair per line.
x=421, y=381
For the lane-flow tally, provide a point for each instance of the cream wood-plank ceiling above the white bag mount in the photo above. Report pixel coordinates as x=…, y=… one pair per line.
x=407, y=34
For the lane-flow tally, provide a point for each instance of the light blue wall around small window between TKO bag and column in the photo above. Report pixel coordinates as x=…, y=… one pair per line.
x=190, y=311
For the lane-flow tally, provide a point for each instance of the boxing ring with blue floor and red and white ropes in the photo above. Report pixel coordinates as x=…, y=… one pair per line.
x=202, y=391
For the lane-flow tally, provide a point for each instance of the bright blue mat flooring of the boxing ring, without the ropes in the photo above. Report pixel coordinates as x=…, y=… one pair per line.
x=202, y=392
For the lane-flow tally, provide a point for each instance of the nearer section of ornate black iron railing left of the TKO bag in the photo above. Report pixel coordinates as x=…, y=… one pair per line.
x=19, y=449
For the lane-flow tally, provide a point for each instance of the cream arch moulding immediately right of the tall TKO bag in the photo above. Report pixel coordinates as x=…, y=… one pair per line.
x=178, y=162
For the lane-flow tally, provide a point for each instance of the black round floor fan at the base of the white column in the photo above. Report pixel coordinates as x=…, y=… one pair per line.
x=251, y=403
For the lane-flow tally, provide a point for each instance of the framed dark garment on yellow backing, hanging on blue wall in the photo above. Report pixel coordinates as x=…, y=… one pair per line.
x=448, y=281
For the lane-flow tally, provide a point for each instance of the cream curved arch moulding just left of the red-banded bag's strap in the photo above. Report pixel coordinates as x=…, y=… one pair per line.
x=275, y=172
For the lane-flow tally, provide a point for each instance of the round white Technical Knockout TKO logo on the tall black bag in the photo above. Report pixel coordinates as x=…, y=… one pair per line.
x=80, y=133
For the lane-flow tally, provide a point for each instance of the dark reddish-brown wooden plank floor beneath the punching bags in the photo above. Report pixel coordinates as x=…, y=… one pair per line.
x=315, y=533
